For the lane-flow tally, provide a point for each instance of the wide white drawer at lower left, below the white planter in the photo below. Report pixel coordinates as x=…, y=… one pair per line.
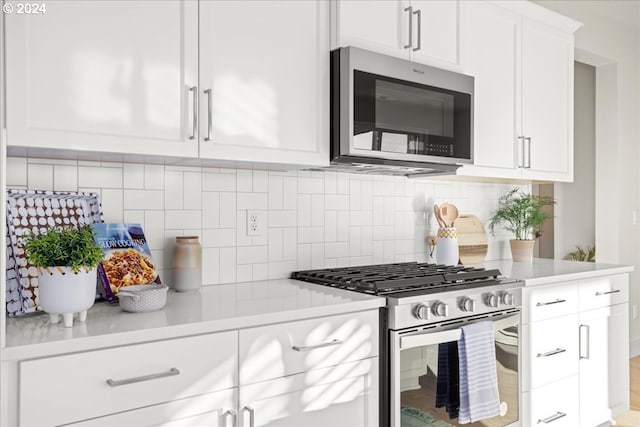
x=75, y=387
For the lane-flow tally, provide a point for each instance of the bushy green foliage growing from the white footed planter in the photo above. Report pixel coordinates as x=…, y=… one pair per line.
x=64, y=246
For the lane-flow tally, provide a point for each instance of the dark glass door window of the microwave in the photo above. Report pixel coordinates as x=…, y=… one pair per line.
x=396, y=116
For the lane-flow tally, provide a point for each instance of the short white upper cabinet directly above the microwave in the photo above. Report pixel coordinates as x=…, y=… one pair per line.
x=422, y=31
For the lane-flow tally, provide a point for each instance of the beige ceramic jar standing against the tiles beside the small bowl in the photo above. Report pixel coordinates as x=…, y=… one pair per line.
x=187, y=264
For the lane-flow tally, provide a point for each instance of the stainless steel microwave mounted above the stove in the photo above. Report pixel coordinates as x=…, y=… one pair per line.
x=390, y=115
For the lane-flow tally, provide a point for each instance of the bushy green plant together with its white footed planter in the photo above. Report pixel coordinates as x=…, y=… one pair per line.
x=66, y=259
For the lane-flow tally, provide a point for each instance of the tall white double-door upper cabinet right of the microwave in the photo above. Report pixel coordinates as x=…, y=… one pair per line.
x=523, y=70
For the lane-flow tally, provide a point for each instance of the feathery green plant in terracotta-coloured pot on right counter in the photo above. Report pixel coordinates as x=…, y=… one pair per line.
x=522, y=214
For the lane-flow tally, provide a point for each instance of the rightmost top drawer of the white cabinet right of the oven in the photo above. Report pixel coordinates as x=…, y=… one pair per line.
x=603, y=291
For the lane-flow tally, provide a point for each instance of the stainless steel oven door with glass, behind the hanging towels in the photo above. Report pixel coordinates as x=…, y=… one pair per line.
x=415, y=359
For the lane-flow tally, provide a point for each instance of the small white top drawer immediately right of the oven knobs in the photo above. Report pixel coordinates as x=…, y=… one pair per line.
x=545, y=302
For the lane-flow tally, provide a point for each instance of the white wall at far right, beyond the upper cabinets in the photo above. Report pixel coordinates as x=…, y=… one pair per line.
x=614, y=47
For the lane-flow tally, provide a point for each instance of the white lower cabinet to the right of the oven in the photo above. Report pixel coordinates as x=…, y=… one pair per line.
x=576, y=363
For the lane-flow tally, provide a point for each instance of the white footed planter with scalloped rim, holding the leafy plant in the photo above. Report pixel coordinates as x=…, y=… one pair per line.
x=63, y=292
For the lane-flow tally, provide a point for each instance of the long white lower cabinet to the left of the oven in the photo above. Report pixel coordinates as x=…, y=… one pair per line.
x=317, y=372
